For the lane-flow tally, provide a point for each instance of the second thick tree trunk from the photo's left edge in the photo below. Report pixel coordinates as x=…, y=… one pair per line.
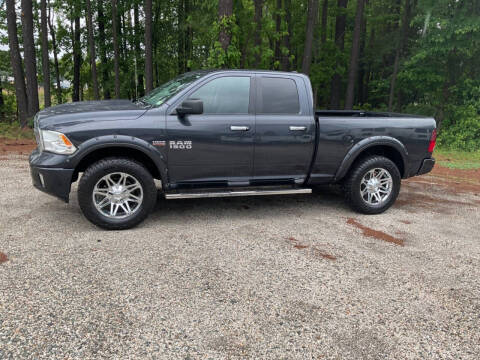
x=30, y=58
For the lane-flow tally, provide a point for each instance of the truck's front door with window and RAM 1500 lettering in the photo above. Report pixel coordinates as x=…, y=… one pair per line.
x=216, y=146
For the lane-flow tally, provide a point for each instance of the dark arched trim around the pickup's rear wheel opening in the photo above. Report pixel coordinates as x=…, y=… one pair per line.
x=386, y=146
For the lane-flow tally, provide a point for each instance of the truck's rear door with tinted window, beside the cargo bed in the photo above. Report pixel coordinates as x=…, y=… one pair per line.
x=284, y=129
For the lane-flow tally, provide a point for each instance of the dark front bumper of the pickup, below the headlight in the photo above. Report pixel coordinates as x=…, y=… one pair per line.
x=55, y=181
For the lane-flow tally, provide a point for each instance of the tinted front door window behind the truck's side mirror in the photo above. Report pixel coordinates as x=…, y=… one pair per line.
x=225, y=95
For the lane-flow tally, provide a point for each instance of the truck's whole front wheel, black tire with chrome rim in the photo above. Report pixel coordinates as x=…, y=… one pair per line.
x=116, y=193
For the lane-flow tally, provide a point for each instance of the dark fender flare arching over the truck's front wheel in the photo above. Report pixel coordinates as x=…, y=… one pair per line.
x=121, y=141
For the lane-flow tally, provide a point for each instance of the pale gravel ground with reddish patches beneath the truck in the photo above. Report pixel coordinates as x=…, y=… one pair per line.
x=291, y=277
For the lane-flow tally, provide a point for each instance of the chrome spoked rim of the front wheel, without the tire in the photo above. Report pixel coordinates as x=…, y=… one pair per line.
x=117, y=195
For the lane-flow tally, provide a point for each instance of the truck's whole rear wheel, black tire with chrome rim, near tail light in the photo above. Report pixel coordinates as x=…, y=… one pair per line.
x=373, y=185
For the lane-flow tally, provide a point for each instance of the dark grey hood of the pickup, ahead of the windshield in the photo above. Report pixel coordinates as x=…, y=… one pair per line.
x=87, y=111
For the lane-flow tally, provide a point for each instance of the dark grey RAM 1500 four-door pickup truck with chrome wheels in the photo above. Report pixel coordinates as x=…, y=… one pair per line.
x=223, y=133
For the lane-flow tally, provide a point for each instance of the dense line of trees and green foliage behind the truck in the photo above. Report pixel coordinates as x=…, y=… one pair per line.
x=418, y=56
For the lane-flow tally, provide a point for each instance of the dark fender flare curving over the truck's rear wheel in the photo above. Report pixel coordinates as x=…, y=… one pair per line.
x=365, y=144
